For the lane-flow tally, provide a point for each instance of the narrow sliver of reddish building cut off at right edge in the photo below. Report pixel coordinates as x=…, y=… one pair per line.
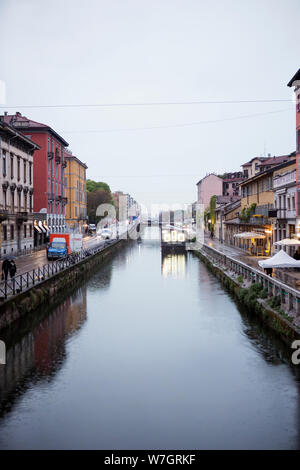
x=295, y=82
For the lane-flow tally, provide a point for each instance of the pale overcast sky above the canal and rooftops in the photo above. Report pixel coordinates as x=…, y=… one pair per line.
x=143, y=51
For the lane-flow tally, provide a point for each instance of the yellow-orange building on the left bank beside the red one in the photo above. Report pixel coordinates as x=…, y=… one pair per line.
x=75, y=183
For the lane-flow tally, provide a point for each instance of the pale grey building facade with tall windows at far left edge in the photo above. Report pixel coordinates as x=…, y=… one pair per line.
x=16, y=191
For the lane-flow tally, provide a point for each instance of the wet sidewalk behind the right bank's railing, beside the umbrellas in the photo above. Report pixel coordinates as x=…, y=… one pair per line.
x=290, y=277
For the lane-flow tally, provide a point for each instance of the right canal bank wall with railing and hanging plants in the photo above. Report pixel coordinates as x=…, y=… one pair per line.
x=261, y=295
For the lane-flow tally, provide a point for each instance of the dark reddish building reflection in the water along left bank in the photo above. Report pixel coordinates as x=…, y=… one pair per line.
x=39, y=354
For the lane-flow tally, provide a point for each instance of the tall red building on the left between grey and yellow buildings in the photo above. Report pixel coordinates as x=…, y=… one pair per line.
x=48, y=170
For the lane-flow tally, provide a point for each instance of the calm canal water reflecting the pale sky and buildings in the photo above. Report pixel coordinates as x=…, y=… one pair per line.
x=152, y=353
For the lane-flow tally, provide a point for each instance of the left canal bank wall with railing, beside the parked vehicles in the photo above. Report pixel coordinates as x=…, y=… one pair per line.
x=47, y=287
